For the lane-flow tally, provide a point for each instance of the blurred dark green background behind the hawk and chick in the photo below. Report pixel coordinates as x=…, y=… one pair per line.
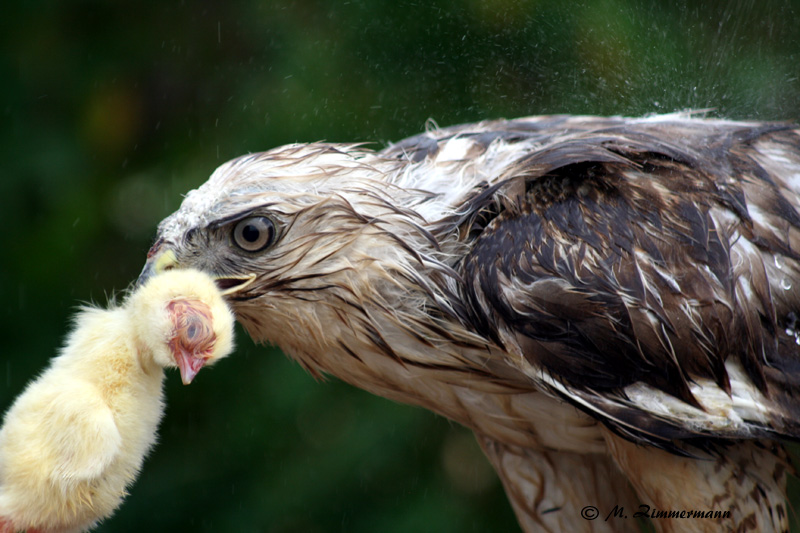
x=111, y=110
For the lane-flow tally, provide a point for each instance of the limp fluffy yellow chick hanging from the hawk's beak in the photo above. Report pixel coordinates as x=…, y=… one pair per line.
x=77, y=436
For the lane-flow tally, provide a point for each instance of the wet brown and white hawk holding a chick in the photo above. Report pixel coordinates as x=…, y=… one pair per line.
x=612, y=305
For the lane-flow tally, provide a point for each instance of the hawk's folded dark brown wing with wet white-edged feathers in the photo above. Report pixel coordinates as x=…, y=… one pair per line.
x=635, y=271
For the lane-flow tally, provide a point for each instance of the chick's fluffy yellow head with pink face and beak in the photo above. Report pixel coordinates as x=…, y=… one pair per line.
x=180, y=319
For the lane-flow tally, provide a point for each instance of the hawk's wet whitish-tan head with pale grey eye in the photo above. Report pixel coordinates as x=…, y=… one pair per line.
x=297, y=237
